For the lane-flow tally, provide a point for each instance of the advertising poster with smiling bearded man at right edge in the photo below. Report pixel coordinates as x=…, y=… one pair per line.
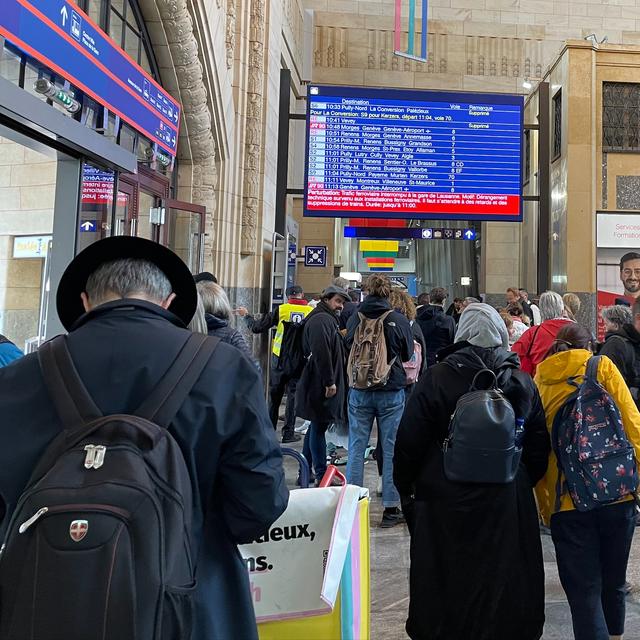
x=618, y=258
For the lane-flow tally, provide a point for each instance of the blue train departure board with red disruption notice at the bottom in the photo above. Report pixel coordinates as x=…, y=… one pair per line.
x=413, y=154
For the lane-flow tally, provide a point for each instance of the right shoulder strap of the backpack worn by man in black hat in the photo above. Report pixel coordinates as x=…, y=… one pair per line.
x=164, y=402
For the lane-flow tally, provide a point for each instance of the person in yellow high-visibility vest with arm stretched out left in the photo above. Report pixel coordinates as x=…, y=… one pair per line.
x=296, y=309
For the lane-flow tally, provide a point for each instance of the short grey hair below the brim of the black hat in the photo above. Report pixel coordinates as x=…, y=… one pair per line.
x=126, y=278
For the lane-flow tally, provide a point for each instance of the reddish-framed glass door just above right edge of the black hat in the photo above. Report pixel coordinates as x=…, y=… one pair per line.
x=184, y=232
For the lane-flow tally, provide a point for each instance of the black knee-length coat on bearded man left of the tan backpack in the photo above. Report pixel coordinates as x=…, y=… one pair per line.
x=324, y=350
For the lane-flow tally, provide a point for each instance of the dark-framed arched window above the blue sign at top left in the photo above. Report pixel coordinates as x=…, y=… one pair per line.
x=122, y=20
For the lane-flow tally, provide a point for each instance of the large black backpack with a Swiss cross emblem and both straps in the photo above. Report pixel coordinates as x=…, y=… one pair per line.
x=99, y=546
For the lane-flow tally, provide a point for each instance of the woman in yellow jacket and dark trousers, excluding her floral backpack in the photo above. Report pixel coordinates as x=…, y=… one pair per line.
x=592, y=547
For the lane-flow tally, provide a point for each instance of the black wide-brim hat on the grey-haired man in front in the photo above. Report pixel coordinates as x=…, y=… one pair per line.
x=74, y=279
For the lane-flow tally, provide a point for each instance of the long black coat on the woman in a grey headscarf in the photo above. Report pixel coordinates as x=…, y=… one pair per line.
x=476, y=558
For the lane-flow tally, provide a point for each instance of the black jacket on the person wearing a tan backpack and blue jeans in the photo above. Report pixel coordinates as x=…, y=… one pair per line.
x=398, y=336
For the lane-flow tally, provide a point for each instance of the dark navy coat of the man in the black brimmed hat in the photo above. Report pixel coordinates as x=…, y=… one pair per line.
x=121, y=351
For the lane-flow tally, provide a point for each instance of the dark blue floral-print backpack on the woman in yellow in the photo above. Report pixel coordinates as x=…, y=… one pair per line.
x=591, y=446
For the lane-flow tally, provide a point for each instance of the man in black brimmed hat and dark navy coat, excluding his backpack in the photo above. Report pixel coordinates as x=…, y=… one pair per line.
x=126, y=303
